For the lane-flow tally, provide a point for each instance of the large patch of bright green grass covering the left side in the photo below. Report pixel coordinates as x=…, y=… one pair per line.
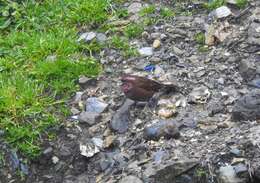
x=33, y=89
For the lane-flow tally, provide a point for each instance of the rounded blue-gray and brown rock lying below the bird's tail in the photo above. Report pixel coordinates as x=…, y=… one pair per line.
x=163, y=128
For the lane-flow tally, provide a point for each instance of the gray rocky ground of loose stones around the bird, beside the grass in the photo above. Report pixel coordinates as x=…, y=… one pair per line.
x=210, y=133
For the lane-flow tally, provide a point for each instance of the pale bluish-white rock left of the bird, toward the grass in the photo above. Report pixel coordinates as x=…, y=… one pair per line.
x=94, y=104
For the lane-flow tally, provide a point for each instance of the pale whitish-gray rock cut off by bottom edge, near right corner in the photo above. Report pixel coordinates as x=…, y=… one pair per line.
x=227, y=174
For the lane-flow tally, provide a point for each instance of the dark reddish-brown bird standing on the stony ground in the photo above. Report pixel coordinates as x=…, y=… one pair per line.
x=142, y=89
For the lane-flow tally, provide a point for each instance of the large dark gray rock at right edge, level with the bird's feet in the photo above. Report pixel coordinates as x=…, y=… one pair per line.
x=247, y=107
